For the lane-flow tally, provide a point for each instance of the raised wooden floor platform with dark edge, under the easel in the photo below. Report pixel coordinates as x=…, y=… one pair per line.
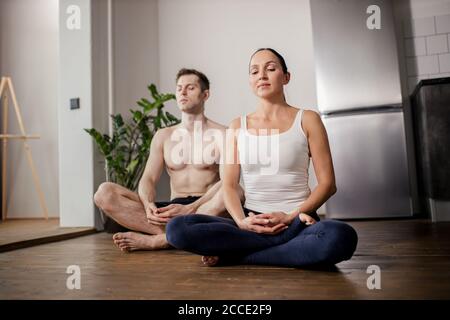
x=21, y=233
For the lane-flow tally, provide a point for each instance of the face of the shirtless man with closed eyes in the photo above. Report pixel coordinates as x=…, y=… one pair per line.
x=189, y=93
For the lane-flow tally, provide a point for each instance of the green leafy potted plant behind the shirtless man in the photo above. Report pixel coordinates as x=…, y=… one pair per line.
x=126, y=152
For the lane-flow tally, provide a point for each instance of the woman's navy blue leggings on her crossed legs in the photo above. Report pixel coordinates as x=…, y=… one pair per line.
x=325, y=242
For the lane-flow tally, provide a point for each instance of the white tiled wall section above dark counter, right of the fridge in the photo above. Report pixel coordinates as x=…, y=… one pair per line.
x=427, y=48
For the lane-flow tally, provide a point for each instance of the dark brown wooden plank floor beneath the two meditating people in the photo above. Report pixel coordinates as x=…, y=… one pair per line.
x=414, y=257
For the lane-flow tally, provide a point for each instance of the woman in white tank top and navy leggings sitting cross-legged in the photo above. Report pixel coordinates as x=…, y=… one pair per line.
x=278, y=224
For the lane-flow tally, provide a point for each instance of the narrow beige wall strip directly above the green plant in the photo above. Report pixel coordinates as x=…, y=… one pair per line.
x=136, y=60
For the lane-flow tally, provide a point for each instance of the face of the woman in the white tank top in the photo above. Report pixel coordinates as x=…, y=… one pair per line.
x=266, y=75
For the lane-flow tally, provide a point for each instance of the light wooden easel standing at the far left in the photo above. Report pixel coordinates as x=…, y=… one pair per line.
x=5, y=84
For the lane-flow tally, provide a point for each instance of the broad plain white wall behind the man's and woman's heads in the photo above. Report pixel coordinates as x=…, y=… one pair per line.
x=218, y=37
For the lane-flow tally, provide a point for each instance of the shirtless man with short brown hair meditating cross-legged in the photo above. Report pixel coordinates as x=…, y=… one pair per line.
x=195, y=183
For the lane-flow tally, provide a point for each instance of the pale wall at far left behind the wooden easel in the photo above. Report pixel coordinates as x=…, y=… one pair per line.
x=29, y=54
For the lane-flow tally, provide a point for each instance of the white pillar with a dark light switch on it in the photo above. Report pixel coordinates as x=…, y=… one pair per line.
x=75, y=146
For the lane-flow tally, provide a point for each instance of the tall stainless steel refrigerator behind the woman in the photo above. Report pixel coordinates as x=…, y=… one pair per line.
x=360, y=102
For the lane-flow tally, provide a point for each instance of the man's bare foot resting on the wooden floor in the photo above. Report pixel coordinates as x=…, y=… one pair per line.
x=132, y=241
